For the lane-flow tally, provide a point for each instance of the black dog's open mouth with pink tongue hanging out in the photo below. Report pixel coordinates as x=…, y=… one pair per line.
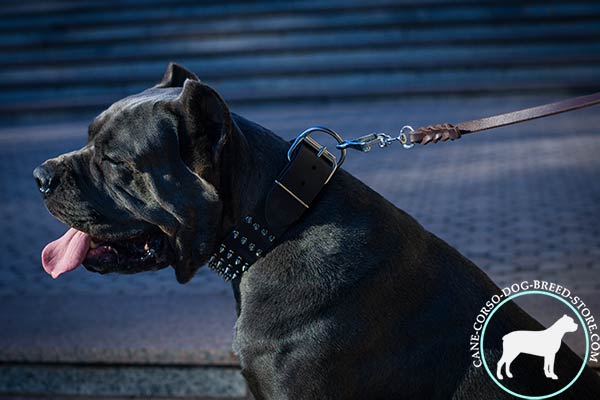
x=144, y=252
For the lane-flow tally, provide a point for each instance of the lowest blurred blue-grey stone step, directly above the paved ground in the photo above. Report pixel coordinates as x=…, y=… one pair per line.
x=335, y=86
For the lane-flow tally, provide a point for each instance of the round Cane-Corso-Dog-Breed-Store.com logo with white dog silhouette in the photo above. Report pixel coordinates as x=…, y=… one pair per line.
x=534, y=353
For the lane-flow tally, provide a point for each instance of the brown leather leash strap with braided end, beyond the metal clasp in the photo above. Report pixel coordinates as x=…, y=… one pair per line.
x=443, y=132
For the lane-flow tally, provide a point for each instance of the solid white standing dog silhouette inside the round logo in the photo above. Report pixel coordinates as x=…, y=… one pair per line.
x=538, y=343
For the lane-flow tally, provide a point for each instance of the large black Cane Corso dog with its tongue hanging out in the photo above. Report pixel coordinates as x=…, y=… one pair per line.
x=355, y=301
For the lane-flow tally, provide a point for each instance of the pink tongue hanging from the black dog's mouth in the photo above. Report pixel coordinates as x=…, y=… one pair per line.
x=65, y=254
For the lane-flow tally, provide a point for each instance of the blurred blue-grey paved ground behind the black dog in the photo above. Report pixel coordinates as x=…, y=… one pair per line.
x=522, y=202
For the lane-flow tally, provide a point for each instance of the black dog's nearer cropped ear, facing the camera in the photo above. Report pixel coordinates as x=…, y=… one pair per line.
x=209, y=123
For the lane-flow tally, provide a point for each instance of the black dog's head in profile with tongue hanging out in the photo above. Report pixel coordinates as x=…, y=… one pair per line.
x=146, y=191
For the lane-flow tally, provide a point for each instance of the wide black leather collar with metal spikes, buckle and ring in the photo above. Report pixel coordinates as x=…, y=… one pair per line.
x=308, y=171
